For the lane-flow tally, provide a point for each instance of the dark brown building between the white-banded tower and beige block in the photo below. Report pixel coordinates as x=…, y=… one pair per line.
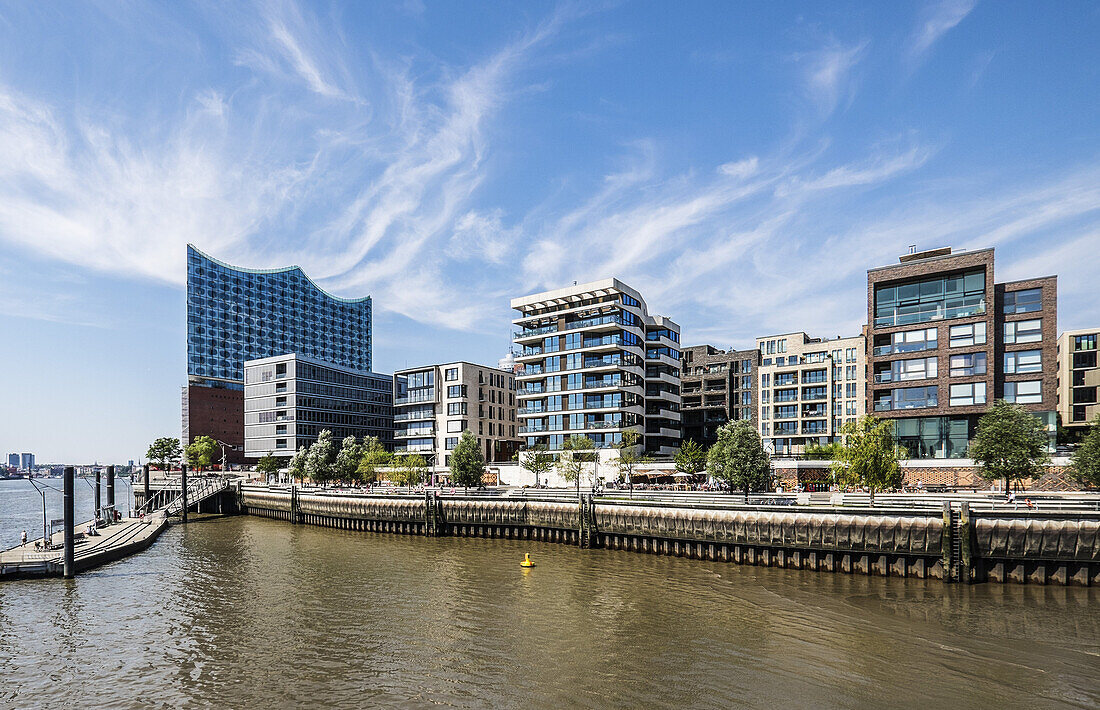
x=717, y=387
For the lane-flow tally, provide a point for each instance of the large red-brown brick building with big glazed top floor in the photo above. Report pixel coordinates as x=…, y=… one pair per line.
x=945, y=341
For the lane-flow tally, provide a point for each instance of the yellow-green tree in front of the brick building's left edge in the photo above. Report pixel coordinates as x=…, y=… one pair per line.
x=870, y=456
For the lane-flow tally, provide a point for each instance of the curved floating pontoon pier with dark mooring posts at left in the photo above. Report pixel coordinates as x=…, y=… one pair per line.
x=112, y=543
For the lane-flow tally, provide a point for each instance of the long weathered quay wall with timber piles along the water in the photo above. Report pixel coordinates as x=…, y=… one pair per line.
x=953, y=544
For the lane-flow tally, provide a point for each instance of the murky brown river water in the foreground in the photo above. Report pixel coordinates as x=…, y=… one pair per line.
x=247, y=613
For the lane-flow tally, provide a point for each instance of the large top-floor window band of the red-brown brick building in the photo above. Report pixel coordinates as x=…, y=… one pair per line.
x=931, y=300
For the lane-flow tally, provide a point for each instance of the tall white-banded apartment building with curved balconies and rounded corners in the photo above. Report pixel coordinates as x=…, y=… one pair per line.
x=597, y=364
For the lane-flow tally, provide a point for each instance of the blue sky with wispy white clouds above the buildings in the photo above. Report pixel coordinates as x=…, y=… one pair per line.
x=742, y=165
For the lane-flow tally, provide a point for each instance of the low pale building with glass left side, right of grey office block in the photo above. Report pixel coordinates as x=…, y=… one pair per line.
x=435, y=405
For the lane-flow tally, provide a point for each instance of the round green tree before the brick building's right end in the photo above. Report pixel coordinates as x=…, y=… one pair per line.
x=1010, y=445
